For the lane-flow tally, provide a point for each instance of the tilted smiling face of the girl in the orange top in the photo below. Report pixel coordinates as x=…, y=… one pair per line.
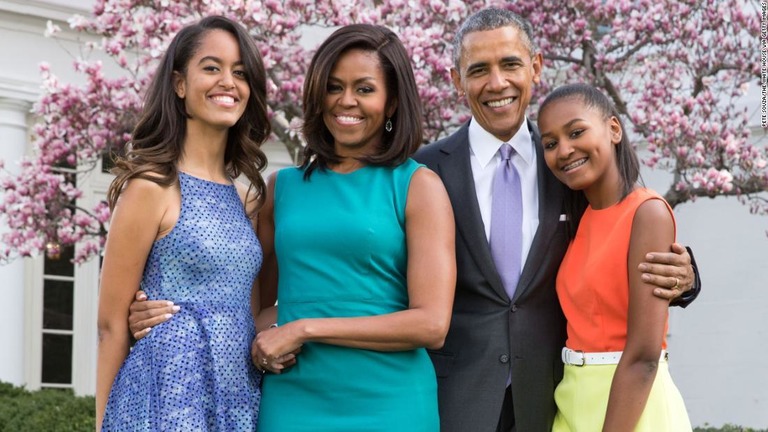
x=580, y=148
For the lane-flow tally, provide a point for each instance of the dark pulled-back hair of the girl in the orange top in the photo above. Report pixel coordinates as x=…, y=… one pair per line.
x=626, y=158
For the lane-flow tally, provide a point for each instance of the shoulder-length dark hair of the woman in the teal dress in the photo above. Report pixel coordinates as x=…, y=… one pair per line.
x=407, y=132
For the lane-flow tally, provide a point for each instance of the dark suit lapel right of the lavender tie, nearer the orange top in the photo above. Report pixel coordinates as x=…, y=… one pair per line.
x=550, y=208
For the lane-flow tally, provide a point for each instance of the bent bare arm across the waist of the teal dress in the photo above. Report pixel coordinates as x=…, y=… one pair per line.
x=431, y=279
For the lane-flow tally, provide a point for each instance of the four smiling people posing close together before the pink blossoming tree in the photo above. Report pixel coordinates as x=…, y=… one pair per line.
x=378, y=263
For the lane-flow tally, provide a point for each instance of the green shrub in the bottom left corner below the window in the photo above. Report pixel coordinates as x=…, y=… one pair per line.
x=46, y=410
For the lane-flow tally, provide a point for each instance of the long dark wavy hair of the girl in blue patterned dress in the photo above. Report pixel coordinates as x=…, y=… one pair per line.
x=157, y=141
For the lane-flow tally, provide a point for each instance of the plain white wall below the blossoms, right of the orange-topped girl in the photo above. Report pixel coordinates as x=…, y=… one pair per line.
x=719, y=344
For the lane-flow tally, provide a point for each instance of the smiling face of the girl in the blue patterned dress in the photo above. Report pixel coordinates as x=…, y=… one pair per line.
x=214, y=87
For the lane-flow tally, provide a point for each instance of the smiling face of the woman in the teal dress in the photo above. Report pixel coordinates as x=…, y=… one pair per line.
x=355, y=106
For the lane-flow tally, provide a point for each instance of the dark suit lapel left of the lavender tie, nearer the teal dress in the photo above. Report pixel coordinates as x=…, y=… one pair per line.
x=456, y=172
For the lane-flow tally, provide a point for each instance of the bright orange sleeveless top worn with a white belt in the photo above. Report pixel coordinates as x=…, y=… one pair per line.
x=593, y=281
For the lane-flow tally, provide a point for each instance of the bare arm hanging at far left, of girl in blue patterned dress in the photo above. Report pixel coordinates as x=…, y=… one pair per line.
x=136, y=223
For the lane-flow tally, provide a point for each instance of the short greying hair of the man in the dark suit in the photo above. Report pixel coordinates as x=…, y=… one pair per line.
x=491, y=19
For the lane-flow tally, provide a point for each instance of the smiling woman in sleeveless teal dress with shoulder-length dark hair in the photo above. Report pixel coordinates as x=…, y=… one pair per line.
x=364, y=240
